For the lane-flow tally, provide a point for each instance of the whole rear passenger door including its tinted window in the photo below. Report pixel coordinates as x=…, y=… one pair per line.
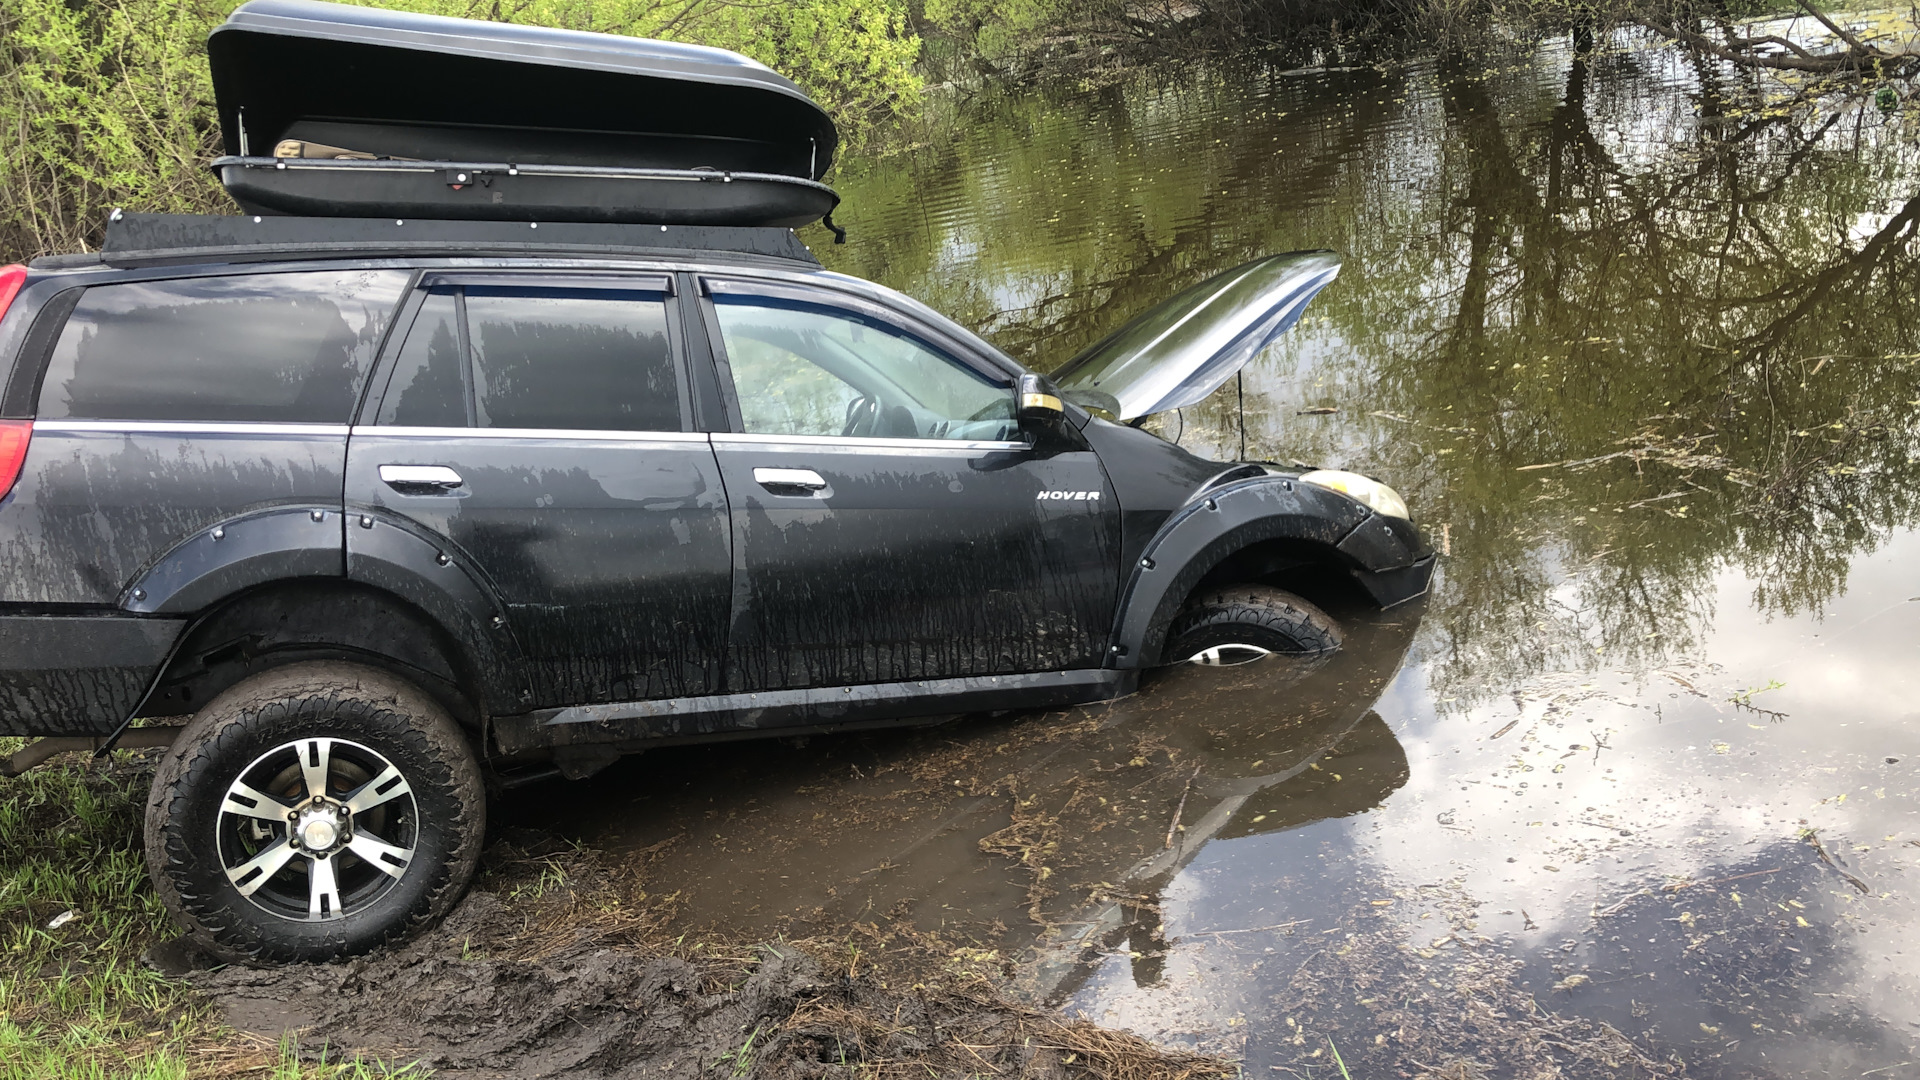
x=540, y=428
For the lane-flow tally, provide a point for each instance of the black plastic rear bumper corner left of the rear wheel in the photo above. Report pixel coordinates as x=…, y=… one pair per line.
x=78, y=675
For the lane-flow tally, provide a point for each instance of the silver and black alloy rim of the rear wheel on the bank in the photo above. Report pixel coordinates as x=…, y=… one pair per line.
x=318, y=829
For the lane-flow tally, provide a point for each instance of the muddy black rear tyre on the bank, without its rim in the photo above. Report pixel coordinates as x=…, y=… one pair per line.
x=312, y=700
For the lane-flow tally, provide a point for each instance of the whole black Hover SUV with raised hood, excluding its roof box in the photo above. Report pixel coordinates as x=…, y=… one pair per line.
x=381, y=508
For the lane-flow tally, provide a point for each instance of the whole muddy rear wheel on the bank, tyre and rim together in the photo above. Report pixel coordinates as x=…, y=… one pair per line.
x=314, y=812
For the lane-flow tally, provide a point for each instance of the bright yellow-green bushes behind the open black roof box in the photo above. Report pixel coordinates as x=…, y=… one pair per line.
x=108, y=103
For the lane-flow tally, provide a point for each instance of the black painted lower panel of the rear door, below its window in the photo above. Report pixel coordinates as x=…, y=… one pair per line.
x=610, y=556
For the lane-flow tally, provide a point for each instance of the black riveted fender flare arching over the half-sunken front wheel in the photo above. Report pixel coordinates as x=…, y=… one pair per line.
x=1209, y=529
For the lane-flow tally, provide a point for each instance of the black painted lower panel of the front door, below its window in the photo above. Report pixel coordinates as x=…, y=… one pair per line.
x=921, y=560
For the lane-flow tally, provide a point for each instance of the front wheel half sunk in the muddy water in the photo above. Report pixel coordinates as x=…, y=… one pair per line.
x=1247, y=622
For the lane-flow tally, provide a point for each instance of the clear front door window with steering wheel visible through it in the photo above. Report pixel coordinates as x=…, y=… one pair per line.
x=813, y=370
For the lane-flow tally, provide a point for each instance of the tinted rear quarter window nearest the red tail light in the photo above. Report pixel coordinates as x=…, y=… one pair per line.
x=268, y=349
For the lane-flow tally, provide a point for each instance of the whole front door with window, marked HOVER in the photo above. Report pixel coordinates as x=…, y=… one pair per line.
x=892, y=520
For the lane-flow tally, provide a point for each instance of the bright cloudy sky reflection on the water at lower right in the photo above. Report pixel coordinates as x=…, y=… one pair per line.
x=1685, y=787
